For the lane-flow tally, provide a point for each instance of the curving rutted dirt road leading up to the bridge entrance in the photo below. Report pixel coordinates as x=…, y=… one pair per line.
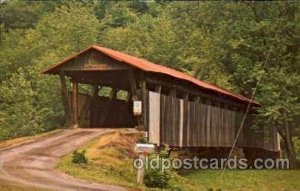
x=32, y=165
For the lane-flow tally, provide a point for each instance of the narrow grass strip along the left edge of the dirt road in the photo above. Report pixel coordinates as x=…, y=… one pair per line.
x=21, y=140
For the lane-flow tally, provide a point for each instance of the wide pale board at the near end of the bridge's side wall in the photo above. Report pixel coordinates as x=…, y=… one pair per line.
x=154, y=118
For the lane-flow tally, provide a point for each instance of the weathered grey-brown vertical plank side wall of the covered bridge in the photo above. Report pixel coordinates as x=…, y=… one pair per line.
x=186, y=123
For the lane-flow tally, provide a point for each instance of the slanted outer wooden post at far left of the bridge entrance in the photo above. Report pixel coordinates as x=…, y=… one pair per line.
x=66, y=101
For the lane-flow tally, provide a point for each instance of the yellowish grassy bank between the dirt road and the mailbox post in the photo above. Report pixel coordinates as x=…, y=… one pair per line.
x=111, y=162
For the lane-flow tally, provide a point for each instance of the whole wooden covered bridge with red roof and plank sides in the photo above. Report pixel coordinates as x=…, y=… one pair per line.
x=176, y=109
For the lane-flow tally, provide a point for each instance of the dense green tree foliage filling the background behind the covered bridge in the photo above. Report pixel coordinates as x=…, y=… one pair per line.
x=232, y=44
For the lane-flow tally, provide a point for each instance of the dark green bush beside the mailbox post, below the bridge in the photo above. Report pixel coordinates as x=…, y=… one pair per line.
x=158, y=177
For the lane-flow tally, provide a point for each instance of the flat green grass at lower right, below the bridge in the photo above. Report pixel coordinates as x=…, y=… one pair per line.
x=244, y=180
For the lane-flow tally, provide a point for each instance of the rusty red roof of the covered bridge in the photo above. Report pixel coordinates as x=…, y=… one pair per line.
x=148, y=66
